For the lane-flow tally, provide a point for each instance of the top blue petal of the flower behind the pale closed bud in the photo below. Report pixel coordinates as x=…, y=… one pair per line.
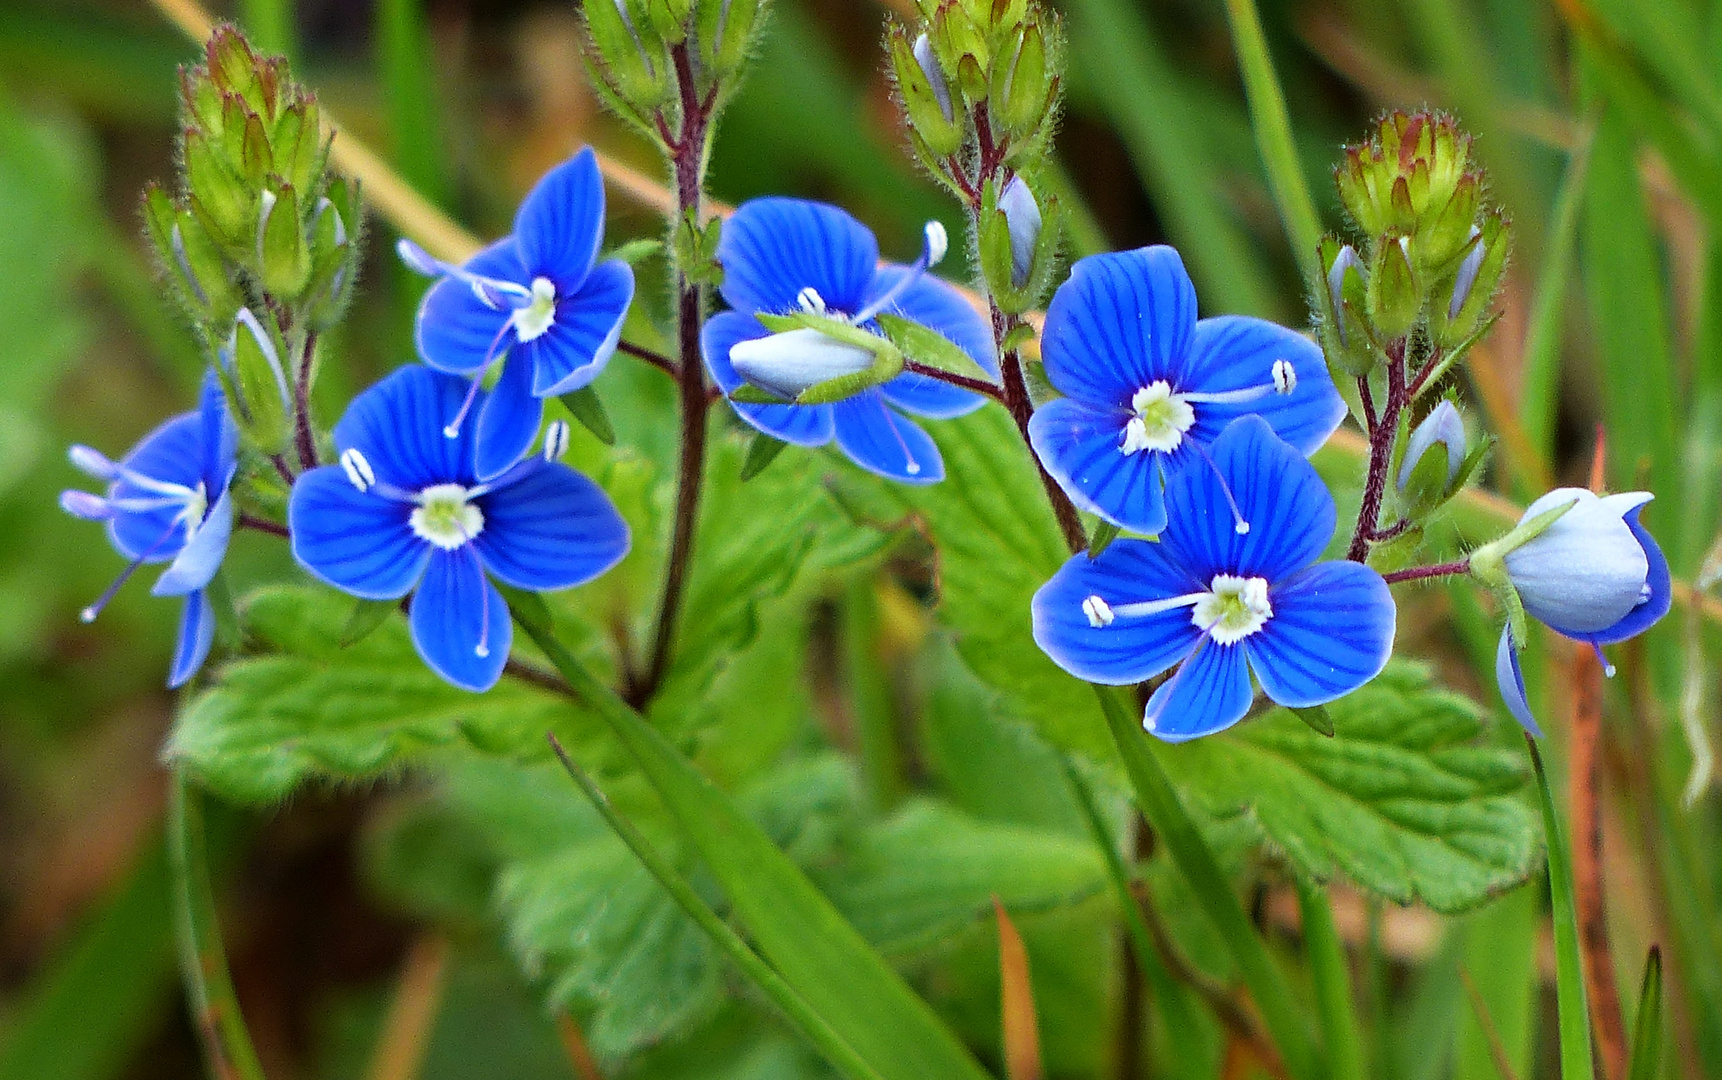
x=776, y=247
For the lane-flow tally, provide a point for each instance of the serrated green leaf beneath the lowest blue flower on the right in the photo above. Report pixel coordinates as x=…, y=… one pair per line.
x=1401, y=800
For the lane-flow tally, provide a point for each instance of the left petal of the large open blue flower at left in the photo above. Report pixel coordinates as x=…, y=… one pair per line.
x=356, y=542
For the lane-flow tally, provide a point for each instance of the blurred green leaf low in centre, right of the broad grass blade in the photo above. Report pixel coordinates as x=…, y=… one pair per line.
x=931, y=872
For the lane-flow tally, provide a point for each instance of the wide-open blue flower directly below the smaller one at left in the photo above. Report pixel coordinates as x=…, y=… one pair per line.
x=407, y=512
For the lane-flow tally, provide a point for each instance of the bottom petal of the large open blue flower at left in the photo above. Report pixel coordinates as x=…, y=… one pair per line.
x=454, y=616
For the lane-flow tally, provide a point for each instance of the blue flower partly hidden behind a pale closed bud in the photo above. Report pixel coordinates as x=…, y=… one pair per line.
x=783, y=256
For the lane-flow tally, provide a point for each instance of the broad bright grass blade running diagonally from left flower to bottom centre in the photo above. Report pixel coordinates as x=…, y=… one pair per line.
x=791, y=922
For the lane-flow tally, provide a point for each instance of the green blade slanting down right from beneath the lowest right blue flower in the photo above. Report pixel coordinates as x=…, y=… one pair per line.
x=1222, y=907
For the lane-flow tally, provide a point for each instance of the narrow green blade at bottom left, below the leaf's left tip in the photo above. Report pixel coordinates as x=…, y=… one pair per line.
x=204, y=964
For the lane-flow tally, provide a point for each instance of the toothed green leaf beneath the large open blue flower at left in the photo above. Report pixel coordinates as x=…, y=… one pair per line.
x=313, y=709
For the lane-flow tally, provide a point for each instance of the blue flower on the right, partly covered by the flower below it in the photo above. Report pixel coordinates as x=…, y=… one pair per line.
x=1148, y=387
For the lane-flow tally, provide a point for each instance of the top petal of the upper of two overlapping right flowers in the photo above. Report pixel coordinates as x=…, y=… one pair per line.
x=1120, y=323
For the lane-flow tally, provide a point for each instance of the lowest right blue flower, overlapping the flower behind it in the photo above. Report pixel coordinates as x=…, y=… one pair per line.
x=1223, y=599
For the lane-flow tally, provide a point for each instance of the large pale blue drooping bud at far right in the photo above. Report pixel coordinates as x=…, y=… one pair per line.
x=1587, y=571
